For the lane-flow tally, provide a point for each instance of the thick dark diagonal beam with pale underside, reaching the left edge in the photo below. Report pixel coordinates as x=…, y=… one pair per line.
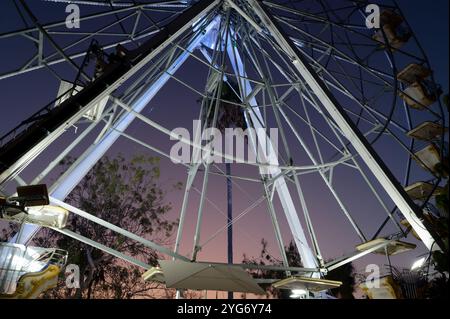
x=16, y=154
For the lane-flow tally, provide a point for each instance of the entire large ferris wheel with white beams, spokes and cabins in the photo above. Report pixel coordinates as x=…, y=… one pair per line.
x=357, y=113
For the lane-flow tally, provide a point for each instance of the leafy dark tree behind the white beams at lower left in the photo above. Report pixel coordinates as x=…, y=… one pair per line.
x=128, y=194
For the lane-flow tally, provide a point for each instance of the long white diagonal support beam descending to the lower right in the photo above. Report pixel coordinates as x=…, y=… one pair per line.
x=382, y=173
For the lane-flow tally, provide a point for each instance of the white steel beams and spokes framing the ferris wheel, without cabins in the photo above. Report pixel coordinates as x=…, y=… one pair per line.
x=124, y=110
